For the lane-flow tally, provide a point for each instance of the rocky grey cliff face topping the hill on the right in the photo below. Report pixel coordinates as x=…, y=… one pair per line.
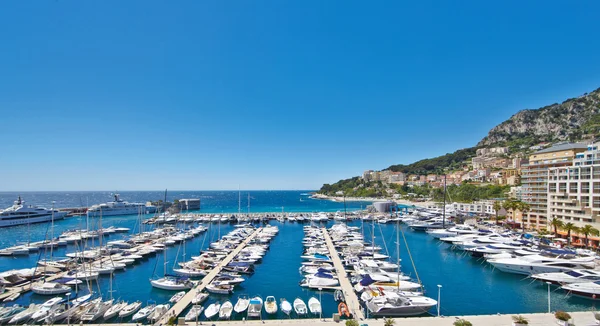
x=571, y=120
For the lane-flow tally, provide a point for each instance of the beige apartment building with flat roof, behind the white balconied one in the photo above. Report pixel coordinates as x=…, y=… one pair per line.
x=534, y=179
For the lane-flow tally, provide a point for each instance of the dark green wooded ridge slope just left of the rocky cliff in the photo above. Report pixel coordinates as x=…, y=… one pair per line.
x=450, y=161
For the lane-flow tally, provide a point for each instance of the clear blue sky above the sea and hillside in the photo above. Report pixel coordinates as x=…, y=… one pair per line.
x=136, y=95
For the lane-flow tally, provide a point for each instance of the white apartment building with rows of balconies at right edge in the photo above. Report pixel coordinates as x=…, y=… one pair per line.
x=574, y=190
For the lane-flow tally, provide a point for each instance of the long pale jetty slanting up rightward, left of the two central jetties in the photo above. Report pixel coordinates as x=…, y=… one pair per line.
x=180, y=306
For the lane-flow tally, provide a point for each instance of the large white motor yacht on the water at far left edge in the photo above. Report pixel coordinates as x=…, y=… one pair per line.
x=19, y=214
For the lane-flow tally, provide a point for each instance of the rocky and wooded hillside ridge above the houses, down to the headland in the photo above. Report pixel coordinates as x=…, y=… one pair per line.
x=575, y=119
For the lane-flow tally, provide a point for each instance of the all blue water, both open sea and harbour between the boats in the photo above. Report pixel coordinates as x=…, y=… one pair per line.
x=469, y=286
